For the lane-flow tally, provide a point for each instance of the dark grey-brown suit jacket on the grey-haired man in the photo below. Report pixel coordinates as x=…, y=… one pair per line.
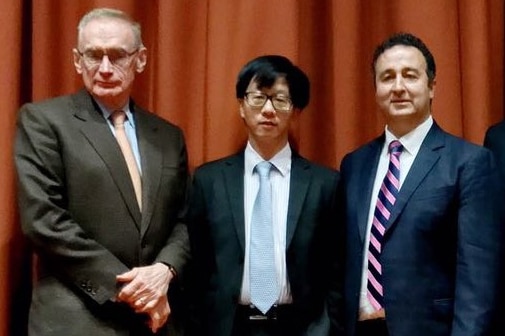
x=79, y=211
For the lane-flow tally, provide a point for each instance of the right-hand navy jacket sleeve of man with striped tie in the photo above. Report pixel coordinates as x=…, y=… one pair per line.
x=480, y=237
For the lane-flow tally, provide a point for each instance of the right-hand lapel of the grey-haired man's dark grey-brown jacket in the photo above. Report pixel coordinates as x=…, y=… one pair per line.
x=151, y=157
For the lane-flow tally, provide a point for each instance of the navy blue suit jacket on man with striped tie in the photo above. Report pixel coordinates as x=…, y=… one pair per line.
x=442, y=248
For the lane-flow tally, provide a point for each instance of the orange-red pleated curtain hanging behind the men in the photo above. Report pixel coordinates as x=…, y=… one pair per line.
x=196, y=49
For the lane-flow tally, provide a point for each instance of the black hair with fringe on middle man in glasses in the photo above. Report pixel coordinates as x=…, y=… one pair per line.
x=265, y=70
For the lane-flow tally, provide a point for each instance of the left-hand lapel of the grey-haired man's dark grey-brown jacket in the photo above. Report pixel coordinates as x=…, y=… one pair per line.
x=97, y=132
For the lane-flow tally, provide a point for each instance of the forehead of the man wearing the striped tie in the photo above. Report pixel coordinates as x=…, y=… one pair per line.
x=400, y=57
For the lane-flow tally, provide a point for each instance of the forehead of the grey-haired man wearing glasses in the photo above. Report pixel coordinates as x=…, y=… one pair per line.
x=107, y=33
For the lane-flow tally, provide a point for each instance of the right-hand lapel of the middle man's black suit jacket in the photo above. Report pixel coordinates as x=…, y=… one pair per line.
x=299, y=184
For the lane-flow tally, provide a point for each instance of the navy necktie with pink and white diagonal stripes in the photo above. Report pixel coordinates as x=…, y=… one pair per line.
x=385, y=201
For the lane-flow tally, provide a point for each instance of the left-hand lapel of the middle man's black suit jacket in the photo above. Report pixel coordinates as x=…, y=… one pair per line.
x=233, y=177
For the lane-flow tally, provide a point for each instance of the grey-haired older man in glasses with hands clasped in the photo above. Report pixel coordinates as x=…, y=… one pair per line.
x=102, y=187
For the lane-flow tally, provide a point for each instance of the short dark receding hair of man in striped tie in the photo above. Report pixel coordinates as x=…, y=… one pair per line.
x=410, y=40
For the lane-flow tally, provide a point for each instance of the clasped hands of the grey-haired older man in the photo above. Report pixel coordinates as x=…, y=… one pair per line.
x=145, y=291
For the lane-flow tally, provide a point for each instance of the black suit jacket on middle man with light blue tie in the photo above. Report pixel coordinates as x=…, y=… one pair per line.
x=216, y=227
